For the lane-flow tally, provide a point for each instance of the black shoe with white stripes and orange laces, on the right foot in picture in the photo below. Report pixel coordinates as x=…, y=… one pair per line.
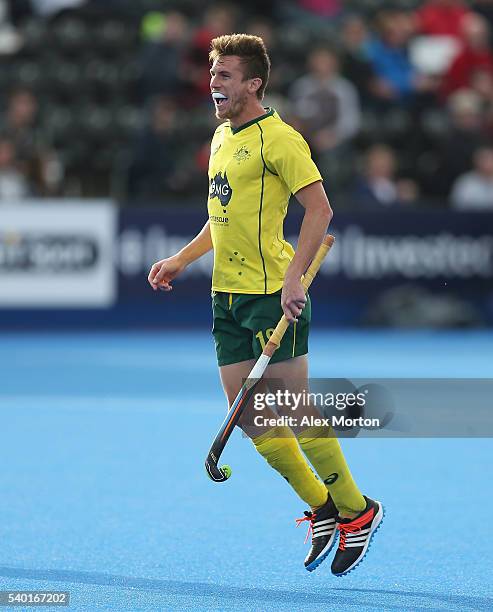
x=355, y=536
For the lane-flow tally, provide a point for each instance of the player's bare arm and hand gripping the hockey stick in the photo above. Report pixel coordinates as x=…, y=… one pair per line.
x=318, y=214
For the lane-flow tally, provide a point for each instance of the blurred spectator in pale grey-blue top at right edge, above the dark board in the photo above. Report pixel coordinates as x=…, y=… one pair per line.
x=474, y=190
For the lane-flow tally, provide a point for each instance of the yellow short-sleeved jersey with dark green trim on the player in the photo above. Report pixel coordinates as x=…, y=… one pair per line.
x=253, y=170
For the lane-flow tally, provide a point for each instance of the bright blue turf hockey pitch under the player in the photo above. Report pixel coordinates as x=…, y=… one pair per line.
x=103, y=491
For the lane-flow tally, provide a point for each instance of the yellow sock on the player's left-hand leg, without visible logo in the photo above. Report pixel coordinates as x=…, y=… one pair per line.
x=280, y=449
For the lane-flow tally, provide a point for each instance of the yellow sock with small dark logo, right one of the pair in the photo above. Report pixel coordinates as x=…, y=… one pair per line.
x=324, y=452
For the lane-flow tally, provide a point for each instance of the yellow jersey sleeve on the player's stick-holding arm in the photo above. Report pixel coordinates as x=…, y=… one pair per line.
x=288, y=155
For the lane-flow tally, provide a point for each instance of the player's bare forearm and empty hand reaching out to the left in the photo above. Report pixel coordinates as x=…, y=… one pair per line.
x=166, y=270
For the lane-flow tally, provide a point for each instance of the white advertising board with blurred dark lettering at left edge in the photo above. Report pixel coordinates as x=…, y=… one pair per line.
x=58, y=254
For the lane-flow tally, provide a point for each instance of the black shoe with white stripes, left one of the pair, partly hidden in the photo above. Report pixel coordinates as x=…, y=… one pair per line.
x=322, y=526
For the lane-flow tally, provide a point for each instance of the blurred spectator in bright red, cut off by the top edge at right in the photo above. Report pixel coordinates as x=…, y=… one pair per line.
x=441, y=17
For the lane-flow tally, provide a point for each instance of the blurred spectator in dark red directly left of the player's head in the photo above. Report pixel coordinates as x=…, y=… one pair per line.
x=218, y=19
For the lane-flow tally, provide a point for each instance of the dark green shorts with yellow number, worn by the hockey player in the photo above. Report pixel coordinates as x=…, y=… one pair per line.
x=243, y=324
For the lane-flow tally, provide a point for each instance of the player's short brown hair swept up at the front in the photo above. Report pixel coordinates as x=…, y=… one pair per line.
x=252, y=52
